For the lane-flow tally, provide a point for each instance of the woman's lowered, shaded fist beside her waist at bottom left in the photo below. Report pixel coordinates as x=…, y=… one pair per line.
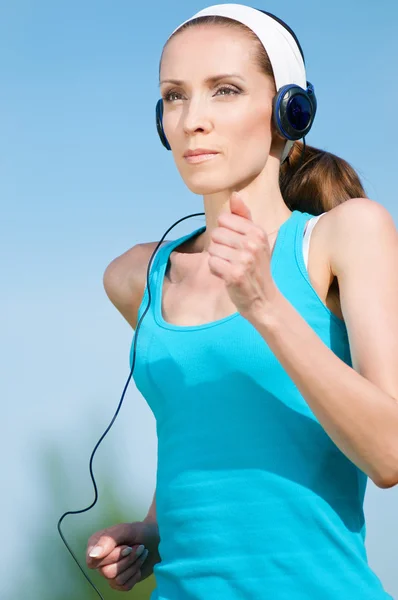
x=123, y=572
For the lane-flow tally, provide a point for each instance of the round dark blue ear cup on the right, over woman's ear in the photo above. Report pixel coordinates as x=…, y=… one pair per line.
x=294, y=111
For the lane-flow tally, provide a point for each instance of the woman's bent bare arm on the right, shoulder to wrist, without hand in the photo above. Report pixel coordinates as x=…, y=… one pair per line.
x=357, y=406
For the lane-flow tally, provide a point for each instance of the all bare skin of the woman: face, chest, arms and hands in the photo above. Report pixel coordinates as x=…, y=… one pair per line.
x=350, y=404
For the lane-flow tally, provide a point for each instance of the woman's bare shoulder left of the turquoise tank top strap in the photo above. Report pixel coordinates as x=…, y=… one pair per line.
x=124, y=279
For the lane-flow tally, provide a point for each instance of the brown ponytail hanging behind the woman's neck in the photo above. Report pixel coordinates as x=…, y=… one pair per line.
x=323, y=180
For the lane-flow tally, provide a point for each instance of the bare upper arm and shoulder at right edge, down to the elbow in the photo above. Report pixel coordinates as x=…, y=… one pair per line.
x=364, y=256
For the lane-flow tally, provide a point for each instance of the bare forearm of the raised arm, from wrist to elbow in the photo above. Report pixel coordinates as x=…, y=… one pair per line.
x=358, y=416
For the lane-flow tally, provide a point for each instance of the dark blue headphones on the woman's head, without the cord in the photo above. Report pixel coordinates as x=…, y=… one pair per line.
x=293, y=107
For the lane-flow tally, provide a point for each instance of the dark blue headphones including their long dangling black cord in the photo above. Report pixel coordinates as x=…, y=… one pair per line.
x=293, y=113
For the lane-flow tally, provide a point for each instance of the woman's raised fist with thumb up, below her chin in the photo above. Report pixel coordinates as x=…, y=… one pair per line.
x=240, y=255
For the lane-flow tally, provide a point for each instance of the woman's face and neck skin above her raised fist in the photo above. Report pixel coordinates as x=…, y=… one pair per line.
x=238, y=125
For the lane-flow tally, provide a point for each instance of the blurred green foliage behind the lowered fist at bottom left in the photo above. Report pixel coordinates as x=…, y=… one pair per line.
x=55, y=574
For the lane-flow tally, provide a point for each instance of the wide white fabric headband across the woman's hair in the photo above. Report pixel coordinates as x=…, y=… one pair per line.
x=280, y=45
